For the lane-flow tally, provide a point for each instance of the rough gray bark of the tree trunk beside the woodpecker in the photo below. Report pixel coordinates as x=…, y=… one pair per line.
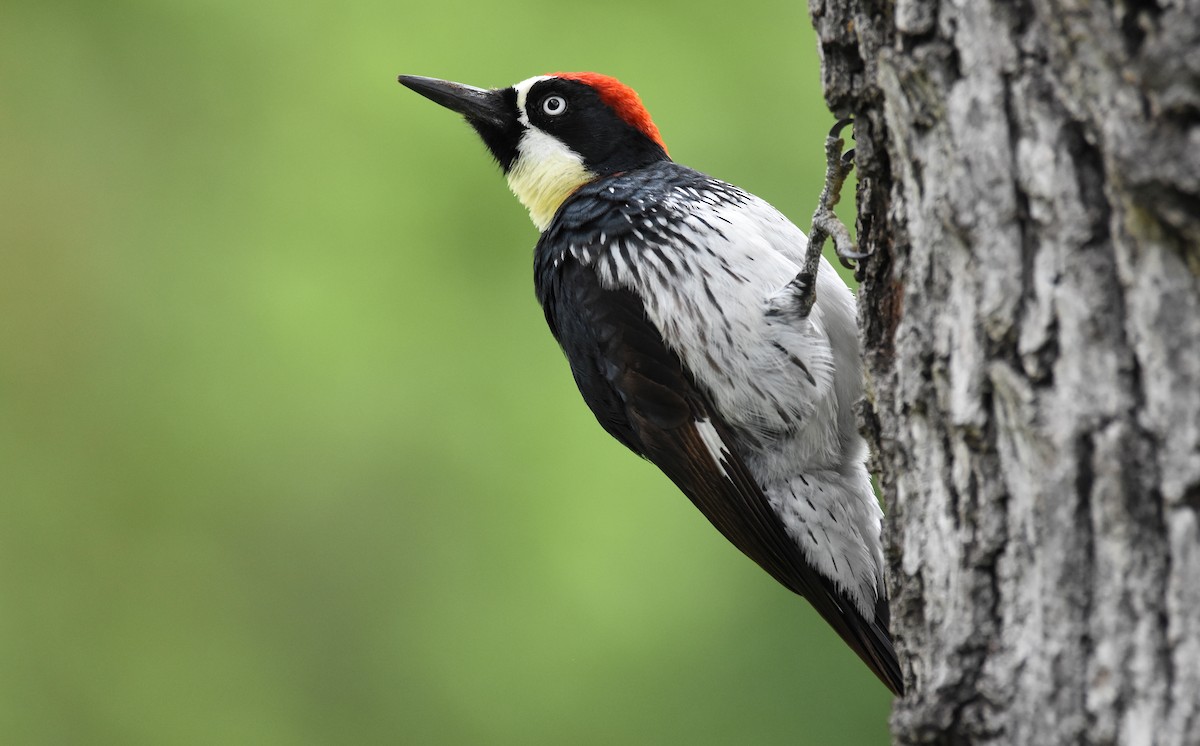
x=1030, y=188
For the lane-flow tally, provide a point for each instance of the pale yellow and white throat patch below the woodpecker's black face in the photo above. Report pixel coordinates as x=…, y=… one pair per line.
x=545, y=173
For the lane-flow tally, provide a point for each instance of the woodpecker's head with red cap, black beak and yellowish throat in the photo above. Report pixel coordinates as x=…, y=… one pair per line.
x=554, y=134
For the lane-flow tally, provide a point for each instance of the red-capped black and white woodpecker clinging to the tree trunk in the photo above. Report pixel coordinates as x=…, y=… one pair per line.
x=691, y=327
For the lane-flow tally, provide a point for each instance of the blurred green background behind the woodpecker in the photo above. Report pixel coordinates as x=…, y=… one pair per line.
x=287, y=455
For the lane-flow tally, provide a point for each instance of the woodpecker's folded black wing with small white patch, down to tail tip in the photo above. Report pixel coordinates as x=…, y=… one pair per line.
x=641, y=394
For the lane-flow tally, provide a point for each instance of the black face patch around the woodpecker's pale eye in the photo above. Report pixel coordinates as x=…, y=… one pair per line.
x=574, y=113
